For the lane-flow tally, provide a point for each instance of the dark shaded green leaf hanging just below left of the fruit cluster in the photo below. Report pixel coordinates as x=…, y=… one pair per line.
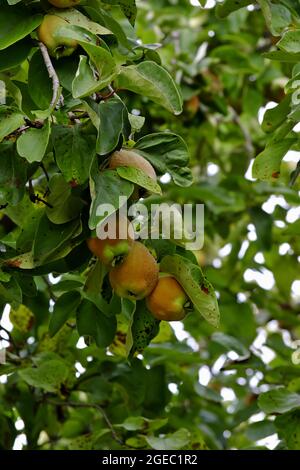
x=92, y=322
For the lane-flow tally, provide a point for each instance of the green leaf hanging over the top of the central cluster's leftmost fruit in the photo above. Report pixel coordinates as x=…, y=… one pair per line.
x=106, y=188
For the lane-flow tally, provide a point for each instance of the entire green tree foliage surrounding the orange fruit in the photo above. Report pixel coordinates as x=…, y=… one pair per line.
x=185, y=85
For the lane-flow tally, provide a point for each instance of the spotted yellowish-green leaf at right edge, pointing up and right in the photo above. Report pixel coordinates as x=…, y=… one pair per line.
x=267, y=164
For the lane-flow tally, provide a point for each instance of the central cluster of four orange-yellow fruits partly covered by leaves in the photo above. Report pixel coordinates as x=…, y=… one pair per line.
x=133, y=271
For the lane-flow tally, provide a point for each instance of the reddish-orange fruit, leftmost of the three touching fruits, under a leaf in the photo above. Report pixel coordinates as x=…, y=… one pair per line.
x=118, y=243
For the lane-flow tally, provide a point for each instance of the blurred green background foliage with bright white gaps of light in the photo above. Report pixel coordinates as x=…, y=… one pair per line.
x=194, y=387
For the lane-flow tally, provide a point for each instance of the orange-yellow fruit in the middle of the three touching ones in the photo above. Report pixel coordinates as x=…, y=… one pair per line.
x=137, y=275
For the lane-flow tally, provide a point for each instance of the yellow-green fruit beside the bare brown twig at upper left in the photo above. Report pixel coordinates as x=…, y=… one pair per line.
x=58, y=46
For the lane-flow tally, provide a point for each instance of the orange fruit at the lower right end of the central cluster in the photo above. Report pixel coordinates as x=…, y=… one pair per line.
x=168, y=301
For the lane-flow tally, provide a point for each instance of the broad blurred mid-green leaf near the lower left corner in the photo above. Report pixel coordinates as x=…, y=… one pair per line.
x=49, y=376
